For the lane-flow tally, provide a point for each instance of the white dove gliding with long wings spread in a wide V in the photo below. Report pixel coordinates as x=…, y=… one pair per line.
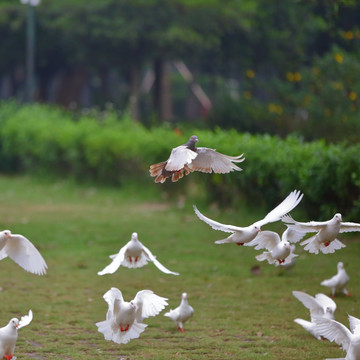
x=243, y=235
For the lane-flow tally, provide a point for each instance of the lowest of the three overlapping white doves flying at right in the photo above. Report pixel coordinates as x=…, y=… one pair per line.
x=278, y=249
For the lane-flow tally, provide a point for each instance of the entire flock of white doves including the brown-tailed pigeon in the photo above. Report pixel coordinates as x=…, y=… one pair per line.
x=124, y=320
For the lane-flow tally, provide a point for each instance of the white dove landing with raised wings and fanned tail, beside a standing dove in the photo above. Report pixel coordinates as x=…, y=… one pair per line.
x=124, y=320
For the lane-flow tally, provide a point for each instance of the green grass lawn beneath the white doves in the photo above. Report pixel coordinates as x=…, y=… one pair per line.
x=238, y=315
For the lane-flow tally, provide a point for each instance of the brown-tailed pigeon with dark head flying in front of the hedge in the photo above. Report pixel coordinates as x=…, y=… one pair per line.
x=188, y=158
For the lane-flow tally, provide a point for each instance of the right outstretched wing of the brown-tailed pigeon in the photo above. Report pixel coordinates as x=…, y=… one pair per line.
x=209, y=160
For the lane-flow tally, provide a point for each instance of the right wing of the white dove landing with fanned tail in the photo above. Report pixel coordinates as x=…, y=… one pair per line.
x=148, y=304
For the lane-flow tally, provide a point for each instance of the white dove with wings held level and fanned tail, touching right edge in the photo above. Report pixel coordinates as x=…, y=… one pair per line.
x=326, y=232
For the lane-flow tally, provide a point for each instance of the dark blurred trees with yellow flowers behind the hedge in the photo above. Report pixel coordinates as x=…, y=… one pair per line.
x=258, y=66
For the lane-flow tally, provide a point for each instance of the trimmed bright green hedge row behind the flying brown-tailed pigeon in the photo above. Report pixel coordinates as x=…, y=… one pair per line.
x=111, y=150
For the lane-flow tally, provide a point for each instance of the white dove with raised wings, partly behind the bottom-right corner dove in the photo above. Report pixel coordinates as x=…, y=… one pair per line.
x=320, y=306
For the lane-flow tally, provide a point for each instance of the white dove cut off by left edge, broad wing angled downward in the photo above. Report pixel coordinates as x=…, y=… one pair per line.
x=22, y=251
